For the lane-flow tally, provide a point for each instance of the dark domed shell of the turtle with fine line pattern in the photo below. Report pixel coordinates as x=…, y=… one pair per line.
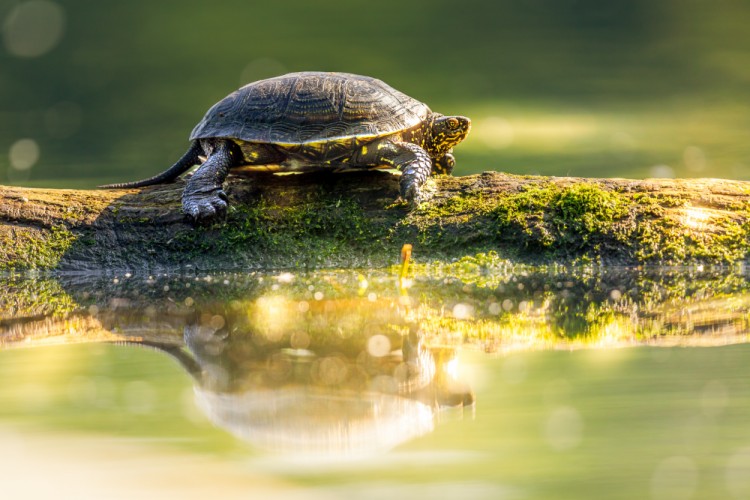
x=310, y=107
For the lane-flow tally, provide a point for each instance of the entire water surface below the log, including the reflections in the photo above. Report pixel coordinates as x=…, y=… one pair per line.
x=473, y=381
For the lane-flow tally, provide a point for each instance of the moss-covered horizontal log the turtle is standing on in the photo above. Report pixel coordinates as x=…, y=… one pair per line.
x=352, y=220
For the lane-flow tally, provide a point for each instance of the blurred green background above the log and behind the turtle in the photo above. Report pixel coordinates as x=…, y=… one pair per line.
x=94, y=92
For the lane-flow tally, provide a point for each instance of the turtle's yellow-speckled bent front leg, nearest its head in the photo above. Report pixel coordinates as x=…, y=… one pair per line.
x=413, y=162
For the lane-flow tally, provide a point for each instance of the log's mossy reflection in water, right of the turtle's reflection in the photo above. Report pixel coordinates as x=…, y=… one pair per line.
x=506, y=308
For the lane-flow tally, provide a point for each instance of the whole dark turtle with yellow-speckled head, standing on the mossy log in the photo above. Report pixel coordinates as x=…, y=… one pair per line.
x=310, y=121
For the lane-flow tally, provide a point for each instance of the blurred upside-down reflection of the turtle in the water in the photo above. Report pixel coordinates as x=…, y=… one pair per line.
x=335, y=377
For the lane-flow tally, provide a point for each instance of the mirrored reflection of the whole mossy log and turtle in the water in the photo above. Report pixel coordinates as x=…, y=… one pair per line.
x=345, y=363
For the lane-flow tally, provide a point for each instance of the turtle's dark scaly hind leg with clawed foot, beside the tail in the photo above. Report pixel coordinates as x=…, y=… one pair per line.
x=203, y=198
